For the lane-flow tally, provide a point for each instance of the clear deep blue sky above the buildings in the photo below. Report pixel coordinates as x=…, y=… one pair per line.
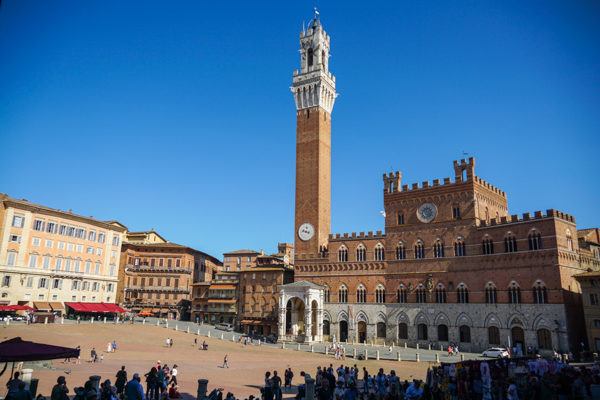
x=177, y=115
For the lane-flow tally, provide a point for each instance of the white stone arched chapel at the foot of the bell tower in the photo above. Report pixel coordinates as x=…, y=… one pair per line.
x=301, y=312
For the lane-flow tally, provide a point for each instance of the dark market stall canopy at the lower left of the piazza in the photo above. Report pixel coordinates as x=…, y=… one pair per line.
x=17, y=350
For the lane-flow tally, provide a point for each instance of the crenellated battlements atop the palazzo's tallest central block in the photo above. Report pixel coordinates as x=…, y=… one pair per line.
x=464, y=172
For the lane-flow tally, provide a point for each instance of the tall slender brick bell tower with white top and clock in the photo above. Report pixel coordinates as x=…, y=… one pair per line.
x=314, y=93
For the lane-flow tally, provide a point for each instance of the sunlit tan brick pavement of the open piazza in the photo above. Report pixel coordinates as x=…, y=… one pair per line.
x=140, y=346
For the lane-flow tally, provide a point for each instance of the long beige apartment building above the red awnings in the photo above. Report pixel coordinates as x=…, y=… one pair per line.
x=50, y=256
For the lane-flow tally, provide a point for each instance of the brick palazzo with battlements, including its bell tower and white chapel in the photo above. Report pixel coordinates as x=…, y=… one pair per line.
x=453, y=265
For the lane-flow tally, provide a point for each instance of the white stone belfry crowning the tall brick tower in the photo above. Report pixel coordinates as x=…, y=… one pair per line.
x=313, y=85
